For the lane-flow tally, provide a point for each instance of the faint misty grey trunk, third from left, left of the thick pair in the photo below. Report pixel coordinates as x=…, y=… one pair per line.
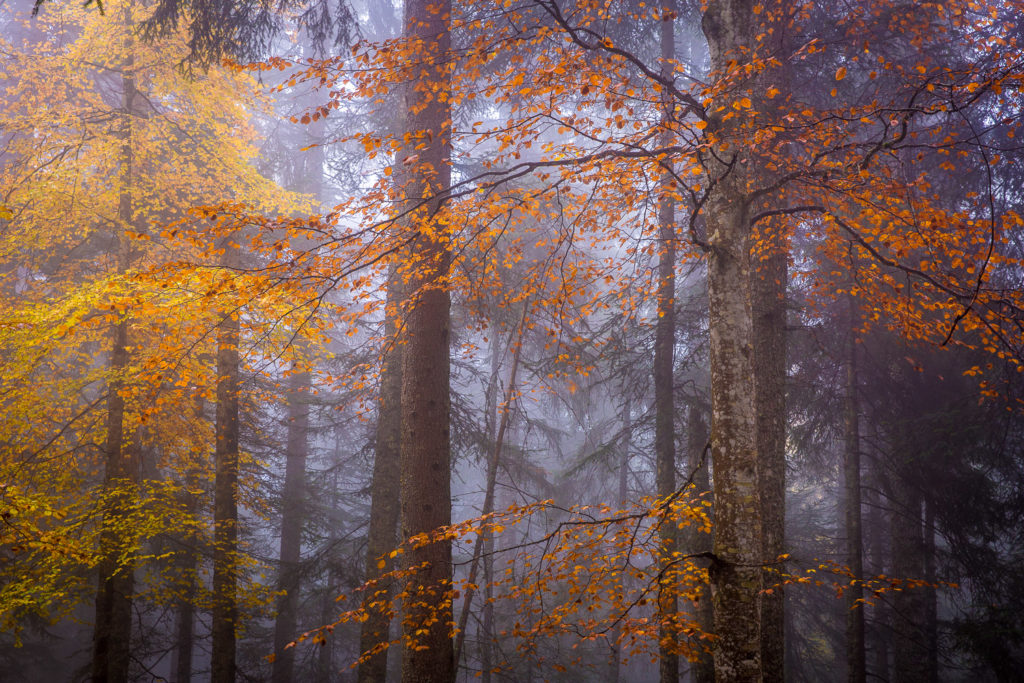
x=292, y=519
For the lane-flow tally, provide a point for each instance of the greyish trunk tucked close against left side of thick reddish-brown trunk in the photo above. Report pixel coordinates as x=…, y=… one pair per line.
x=383, y=535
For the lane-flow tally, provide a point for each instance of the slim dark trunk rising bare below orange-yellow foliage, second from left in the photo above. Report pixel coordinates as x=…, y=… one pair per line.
x=226, y=503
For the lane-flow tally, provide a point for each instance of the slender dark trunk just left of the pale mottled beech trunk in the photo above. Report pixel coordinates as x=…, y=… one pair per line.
x=665, y=344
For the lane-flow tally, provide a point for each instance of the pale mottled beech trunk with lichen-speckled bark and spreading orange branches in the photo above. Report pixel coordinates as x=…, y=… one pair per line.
x=737, y=573
